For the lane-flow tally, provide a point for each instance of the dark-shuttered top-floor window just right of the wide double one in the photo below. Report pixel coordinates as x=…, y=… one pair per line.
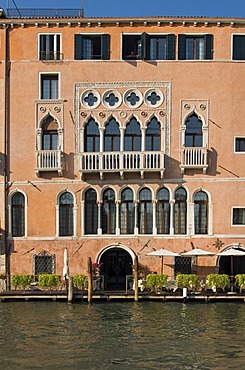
x=195, y=47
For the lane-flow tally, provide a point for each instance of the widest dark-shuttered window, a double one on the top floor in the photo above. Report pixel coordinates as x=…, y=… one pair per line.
x=148, y=47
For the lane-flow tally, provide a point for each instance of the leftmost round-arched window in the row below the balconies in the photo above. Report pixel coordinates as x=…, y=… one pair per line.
x=18, y=214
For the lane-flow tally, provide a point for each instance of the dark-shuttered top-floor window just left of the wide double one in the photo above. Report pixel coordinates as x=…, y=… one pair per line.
x=89, y=47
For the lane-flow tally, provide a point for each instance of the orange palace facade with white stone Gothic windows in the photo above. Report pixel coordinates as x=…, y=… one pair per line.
x=120, y=136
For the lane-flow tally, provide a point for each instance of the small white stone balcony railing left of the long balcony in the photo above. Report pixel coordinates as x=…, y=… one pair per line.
x=49, y=160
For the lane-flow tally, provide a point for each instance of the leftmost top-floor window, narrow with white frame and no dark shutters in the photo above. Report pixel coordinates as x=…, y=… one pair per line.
x=50, y=47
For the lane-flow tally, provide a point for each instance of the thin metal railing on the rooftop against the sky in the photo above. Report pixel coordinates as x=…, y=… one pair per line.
x=44, y=13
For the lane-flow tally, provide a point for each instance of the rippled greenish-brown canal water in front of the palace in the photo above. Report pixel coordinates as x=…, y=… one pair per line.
x=121, y=336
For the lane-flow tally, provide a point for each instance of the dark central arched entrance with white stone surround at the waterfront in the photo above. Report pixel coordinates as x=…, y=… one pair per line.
x=116, y=264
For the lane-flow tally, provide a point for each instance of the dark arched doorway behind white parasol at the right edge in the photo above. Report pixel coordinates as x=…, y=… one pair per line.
x=232, y=264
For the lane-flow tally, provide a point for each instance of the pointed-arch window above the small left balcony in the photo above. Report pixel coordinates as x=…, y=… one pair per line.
x=50, y=134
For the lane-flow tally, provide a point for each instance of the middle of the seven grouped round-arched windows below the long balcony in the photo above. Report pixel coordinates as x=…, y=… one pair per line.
x=145, y=212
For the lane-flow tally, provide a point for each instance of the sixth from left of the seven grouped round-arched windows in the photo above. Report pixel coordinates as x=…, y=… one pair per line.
x=180, y=211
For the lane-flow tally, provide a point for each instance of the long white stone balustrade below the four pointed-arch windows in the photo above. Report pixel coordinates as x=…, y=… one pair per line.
x=121, y=161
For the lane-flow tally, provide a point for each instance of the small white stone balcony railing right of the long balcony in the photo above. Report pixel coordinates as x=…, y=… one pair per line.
x=194, y=158
